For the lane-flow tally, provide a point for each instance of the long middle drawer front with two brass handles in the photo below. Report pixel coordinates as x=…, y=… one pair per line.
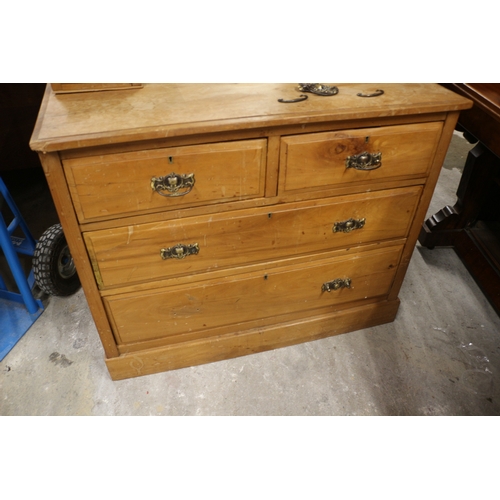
x=129, y=255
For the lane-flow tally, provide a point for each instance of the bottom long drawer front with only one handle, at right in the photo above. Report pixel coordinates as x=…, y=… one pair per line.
x=239, y=299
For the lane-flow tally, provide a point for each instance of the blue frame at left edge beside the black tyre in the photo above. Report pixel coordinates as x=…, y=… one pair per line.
x=18, y=310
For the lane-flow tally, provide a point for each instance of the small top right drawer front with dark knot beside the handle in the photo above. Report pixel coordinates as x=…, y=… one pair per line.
x=331, y=159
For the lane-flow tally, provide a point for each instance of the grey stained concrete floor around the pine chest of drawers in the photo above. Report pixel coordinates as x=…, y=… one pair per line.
x=441, y=356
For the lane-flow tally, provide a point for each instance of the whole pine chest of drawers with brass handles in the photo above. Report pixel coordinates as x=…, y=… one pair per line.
x=213, y=221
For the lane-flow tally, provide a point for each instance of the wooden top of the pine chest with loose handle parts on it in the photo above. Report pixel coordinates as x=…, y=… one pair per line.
x=157, y=111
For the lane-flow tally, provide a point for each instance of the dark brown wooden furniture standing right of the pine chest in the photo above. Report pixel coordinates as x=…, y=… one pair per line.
x=472, y=225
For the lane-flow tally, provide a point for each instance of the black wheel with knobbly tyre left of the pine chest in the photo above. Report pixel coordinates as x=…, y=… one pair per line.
x=53, y=266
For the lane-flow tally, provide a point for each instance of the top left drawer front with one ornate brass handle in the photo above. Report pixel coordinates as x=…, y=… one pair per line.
x=165, y=179
